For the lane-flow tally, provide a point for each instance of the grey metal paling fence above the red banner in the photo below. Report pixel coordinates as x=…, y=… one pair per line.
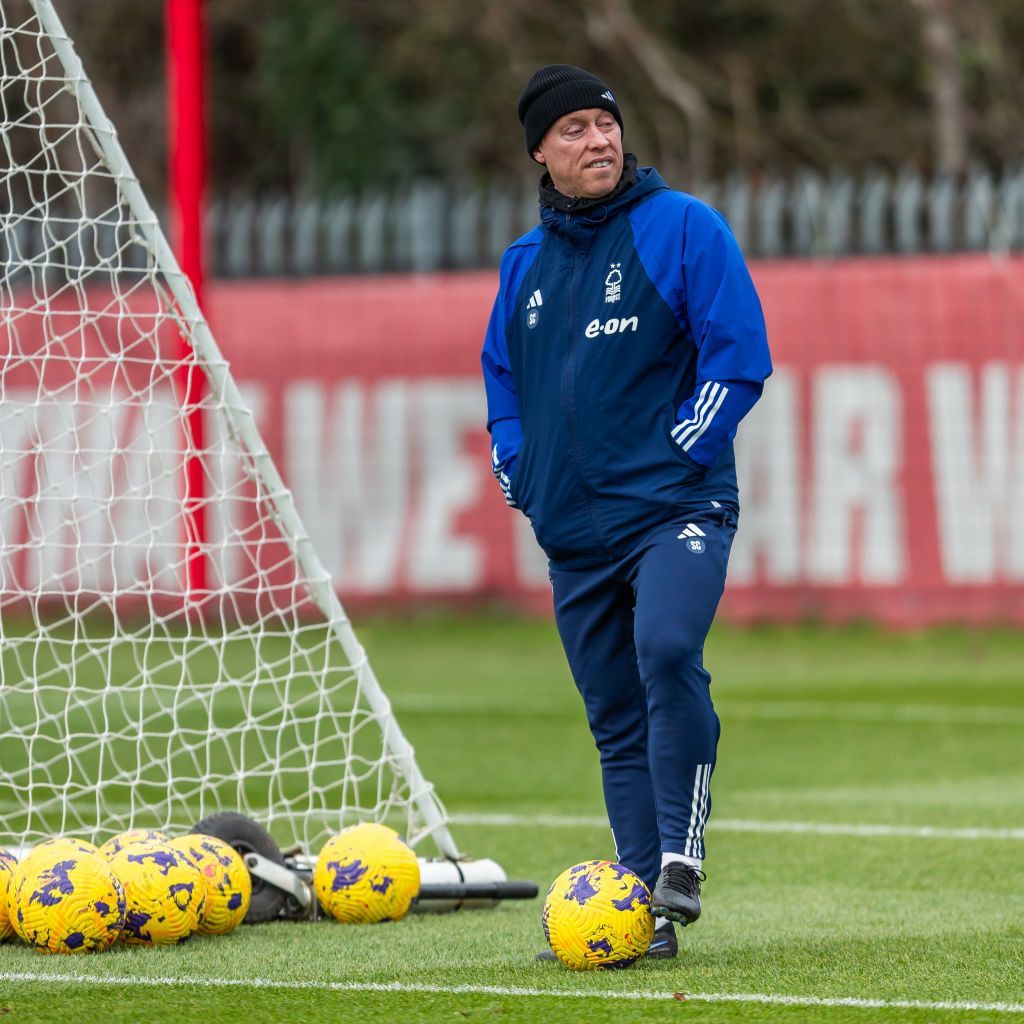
x=432, y=227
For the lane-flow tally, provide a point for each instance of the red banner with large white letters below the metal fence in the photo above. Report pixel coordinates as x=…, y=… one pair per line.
x=882, y=476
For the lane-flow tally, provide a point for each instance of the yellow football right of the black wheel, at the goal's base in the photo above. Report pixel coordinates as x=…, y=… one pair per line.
x=367, y=874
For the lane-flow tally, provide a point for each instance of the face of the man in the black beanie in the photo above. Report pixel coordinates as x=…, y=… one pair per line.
x=583, y=152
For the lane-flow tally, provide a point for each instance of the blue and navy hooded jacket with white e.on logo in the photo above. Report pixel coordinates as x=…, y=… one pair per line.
x=626, y=345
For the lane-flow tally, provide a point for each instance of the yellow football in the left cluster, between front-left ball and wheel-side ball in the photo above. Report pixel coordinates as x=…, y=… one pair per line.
x=164, y=891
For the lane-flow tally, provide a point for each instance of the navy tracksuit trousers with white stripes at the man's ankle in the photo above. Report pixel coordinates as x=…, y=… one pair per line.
x=634, y=632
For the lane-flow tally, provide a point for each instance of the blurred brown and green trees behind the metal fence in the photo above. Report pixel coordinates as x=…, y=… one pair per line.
x=313, y=98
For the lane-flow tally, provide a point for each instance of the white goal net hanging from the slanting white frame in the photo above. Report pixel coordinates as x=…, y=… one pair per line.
x=127, y=698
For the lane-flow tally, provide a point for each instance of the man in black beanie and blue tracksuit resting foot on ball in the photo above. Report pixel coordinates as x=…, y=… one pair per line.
x=626, y=345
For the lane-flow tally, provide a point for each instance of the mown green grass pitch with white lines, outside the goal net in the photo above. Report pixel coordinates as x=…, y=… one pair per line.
x=843, y=728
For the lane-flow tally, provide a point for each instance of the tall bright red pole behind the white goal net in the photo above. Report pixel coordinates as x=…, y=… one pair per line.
x=187, y=151
